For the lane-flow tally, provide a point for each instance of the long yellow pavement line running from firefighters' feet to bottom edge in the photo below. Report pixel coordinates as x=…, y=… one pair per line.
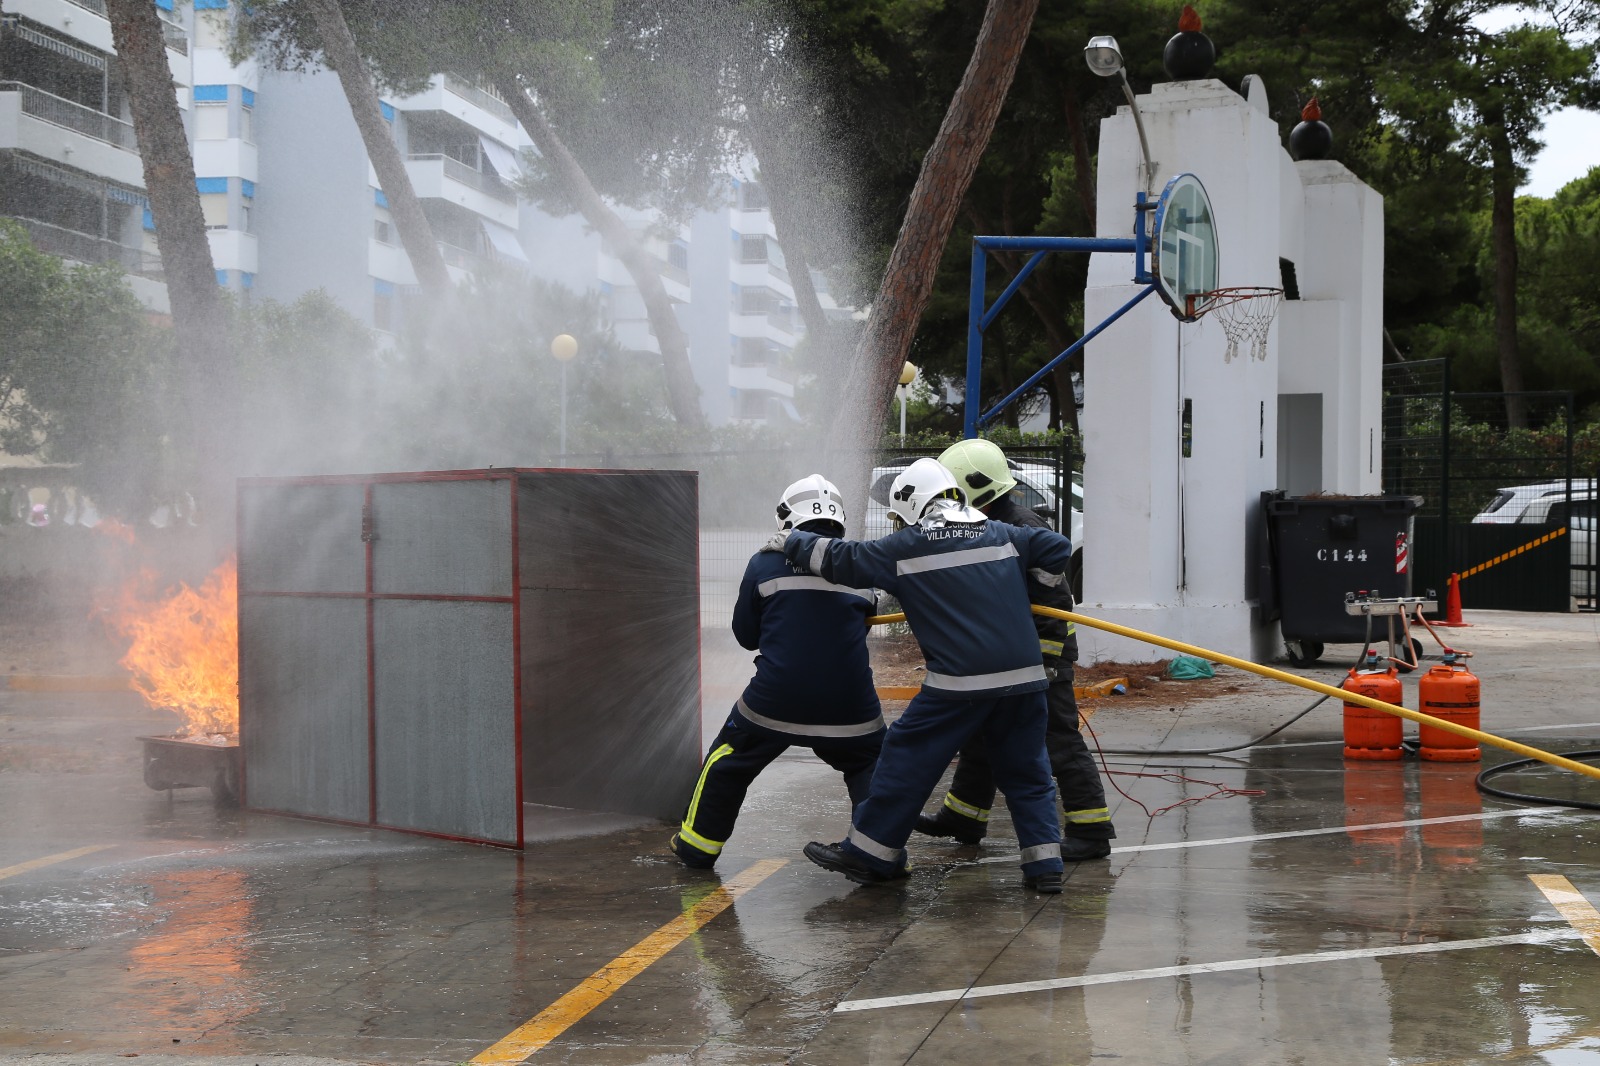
x=570, y=1009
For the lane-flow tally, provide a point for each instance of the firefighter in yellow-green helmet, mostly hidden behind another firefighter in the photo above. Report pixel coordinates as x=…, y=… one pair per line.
x=982, y=468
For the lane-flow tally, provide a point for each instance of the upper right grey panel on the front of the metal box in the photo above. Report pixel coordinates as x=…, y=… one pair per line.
x=442, y=539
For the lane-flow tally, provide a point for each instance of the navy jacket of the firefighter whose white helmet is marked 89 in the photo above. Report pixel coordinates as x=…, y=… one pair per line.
x=812, y=636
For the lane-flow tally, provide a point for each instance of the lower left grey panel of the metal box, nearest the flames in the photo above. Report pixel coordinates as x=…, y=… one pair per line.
x=303, y=705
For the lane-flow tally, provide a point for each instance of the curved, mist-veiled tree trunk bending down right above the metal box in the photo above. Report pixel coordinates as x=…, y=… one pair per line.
x=682, y=393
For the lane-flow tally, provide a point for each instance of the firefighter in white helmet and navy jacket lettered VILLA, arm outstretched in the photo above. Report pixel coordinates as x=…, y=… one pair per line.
x=962, y=583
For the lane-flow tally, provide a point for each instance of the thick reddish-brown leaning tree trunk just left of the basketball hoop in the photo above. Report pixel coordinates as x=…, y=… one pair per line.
x=946, y=174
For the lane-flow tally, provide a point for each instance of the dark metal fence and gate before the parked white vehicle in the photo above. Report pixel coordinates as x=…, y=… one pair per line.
x=1502, y=508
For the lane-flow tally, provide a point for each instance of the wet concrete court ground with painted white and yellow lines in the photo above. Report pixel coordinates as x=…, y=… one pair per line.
x=1324, y=918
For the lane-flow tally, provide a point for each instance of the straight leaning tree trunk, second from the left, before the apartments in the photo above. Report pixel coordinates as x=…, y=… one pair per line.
x=417, y=236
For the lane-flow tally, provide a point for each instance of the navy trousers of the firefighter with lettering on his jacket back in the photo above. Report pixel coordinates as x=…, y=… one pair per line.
x=924, y=742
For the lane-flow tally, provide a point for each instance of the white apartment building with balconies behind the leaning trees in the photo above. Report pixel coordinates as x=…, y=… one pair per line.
x=292, y=201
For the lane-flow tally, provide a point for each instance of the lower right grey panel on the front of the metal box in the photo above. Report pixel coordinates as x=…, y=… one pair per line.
x=446, y=718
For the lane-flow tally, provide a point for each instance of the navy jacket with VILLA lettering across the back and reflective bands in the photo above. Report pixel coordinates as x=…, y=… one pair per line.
x=964, y=588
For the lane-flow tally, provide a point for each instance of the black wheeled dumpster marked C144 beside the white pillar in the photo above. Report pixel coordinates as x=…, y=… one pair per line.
x=1324, y=548
